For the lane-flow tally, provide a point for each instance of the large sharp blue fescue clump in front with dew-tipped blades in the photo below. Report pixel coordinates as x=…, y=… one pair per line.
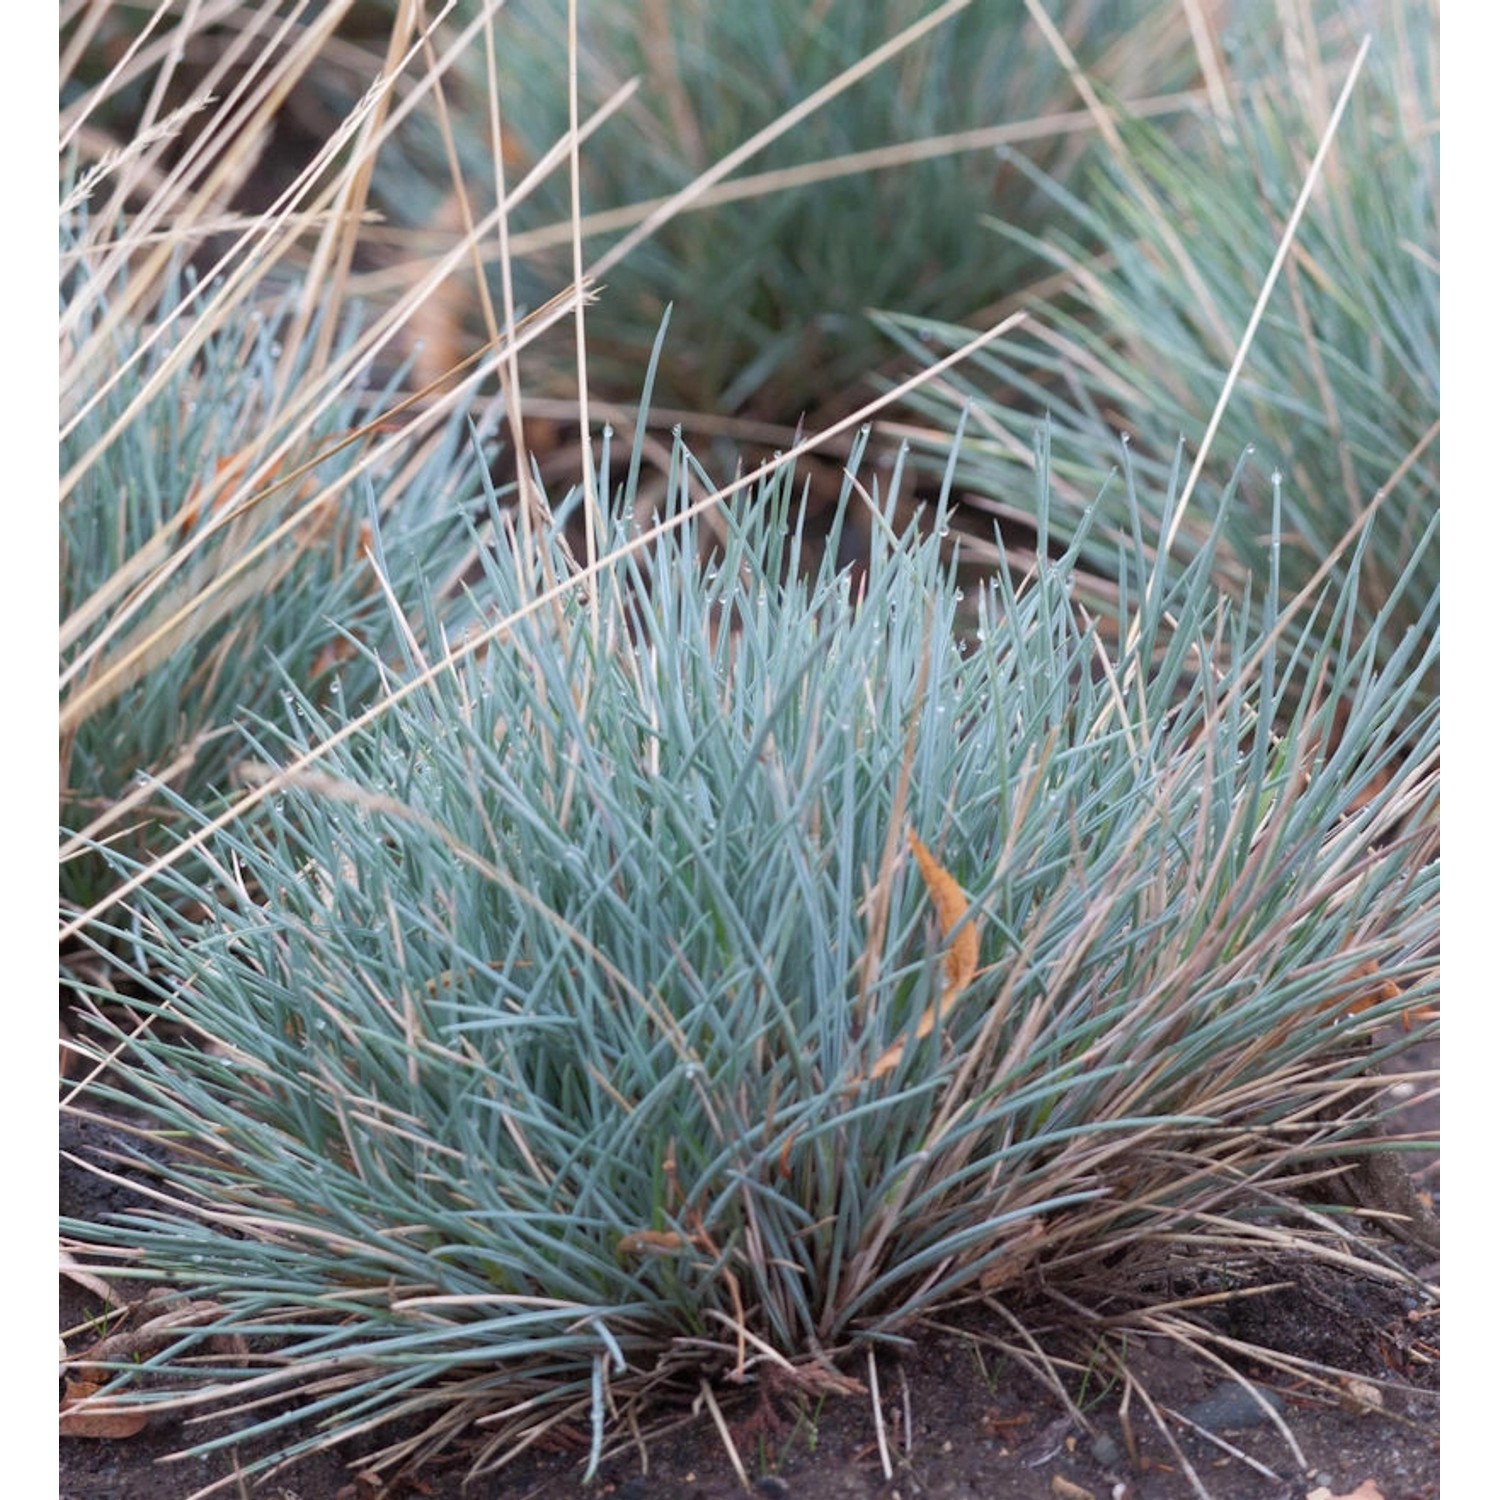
x=575, y=1027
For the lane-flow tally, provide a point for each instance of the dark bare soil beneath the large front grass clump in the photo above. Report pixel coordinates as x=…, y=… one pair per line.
x=959, y=1420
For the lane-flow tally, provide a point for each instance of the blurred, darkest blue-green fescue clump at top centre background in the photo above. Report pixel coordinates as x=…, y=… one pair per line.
x=773, y=272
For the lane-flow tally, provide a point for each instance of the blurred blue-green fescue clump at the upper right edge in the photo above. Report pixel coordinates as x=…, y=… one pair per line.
x=1160, y=257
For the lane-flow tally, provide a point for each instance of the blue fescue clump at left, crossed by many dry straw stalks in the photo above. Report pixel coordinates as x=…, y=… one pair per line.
x=215, y=529
